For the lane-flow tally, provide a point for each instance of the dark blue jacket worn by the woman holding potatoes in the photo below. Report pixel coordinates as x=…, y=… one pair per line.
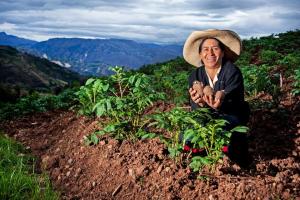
x=230, y=80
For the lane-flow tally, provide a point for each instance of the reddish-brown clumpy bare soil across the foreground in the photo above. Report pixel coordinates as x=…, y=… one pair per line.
x=143, y=170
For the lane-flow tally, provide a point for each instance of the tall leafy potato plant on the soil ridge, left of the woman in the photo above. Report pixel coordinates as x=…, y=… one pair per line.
x=122, y=98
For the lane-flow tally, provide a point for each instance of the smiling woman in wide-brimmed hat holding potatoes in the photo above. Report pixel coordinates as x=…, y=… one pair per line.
x=213, y=53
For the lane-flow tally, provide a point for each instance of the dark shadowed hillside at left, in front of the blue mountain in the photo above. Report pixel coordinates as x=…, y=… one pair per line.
x=24, y=71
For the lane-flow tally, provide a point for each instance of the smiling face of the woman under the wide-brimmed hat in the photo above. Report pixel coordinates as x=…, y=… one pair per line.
x=211, y=54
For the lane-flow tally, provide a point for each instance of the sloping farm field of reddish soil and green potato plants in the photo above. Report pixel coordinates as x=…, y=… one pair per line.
x=116, y=137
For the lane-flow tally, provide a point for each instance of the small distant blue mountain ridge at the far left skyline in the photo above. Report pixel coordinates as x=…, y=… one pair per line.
x=14, y=41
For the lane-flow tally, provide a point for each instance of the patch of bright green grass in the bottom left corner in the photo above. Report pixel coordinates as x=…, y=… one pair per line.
x=17, y=175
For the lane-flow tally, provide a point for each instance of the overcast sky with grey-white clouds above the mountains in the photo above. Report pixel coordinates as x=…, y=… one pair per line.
x=160, y=21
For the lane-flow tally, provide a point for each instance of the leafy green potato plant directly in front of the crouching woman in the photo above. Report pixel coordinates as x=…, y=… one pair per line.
x=200, y=128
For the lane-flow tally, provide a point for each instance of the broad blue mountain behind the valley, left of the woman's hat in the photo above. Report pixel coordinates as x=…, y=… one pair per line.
x=94, y=56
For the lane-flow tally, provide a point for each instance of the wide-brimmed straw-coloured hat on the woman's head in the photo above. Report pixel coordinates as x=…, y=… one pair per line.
x=230, y=39
